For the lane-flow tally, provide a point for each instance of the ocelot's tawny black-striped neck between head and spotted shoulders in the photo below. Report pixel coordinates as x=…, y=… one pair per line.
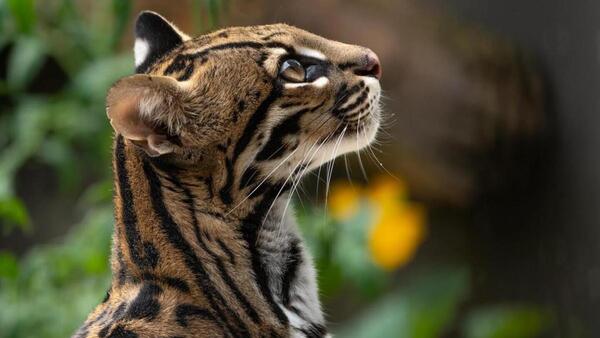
x=201, y=248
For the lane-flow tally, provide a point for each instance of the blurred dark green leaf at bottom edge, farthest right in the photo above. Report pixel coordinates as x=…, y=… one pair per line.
x=506, y=322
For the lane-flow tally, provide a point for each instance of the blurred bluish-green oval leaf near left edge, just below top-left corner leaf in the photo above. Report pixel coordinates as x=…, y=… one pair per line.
x=25, y=61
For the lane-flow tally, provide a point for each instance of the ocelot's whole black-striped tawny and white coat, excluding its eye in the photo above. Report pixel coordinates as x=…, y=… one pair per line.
x=210, y=142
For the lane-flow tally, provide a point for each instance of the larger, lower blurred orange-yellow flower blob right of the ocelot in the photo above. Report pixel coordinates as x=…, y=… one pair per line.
x=396, y=235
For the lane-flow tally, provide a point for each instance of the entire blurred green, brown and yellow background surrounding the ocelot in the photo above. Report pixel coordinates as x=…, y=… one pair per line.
x=476, y=214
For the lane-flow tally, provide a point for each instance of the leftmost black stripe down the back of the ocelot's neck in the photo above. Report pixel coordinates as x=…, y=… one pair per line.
x=144, y=255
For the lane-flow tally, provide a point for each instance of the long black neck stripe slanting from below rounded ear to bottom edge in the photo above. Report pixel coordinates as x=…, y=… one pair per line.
x=170, y=229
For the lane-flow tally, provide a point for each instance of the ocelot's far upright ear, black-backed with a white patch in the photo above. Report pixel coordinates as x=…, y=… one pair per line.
x=154, y=37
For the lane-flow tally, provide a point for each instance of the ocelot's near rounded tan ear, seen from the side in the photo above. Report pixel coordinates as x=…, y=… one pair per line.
x=149, y=111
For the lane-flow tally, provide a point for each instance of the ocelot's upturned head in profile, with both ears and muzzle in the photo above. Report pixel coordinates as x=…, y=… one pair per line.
x=248, y=104
